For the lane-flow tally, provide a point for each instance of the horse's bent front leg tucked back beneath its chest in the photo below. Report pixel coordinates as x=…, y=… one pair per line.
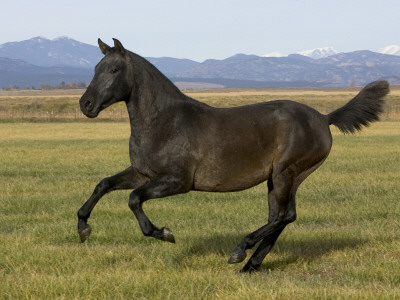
x=157, y=188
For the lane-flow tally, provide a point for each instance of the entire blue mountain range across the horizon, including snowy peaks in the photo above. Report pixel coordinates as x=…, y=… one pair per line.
x=40, y=60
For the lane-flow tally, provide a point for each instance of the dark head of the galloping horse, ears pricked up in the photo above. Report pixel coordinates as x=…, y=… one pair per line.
x=110, y=83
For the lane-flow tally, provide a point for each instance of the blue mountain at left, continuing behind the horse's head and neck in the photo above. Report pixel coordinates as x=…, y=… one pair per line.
x=41, y=60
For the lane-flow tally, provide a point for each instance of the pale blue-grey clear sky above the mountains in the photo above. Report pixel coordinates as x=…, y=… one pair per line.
x=206, y=29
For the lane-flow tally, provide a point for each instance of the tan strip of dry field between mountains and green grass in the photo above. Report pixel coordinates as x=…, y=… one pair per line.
x=62, y=105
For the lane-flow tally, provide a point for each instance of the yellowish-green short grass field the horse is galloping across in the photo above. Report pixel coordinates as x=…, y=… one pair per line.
x=345, y=243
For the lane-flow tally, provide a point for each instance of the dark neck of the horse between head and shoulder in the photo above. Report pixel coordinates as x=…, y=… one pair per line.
x=152, y=93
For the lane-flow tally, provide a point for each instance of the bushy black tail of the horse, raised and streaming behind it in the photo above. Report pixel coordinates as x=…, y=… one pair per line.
x=362, y=109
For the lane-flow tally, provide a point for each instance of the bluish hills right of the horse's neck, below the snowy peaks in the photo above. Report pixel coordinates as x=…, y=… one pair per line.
x=359, y=67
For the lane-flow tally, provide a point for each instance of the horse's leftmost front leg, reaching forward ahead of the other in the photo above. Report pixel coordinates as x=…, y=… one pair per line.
x=127, y=179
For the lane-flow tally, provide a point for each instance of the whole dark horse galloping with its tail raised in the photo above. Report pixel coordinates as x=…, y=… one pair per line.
x=178, y=144
